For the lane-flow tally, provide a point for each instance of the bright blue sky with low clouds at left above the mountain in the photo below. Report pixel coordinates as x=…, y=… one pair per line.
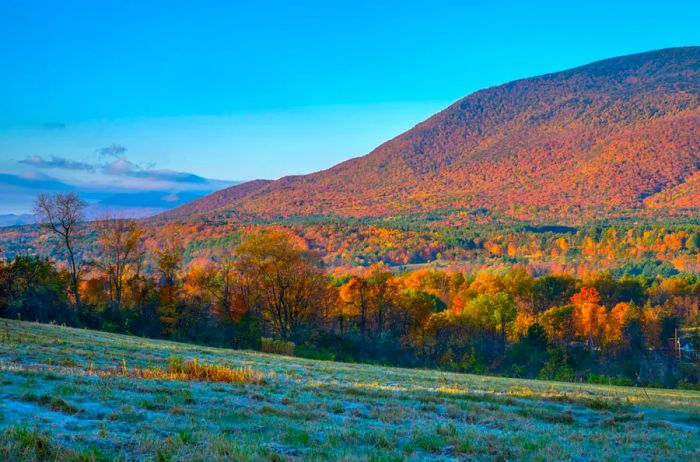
x=114, y=97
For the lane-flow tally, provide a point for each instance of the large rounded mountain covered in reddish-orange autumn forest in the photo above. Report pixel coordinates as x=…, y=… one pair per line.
x=616, y=137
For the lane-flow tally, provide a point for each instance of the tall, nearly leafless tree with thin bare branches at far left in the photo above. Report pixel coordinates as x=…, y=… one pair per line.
x=61, y=214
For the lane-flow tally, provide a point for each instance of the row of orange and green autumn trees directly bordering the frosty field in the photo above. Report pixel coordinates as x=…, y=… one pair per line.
x=272, y=292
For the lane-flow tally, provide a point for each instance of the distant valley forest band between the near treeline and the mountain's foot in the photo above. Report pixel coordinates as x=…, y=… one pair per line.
x=640, y=249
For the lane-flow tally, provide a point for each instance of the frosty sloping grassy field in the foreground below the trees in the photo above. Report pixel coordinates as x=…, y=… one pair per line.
x=72, y=394
